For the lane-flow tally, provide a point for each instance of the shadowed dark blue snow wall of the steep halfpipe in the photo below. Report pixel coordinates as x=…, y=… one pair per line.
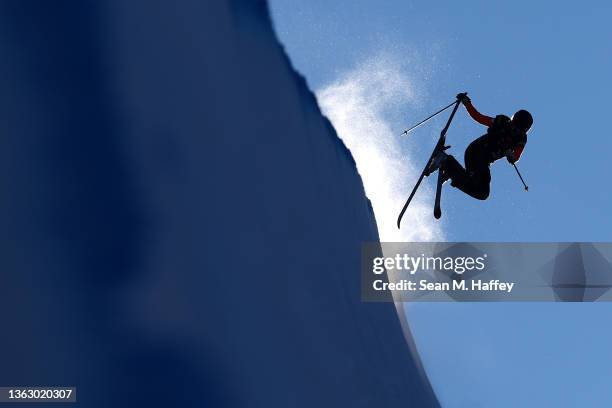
x=180, y=224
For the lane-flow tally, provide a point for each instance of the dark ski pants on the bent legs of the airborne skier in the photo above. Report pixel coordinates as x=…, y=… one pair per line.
x=475, y=178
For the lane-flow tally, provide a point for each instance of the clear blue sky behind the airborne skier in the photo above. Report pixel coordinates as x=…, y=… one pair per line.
x=554, y=59
